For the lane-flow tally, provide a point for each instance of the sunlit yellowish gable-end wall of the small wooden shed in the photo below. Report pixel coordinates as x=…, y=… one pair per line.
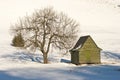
x=89, y=53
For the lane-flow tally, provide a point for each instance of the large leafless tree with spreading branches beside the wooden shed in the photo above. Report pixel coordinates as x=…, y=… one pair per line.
x=46, y=28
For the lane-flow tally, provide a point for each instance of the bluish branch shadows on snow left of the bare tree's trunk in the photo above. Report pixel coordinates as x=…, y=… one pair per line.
x=22, y=56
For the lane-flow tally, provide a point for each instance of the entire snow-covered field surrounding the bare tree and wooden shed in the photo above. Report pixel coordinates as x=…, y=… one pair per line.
x=98, y=18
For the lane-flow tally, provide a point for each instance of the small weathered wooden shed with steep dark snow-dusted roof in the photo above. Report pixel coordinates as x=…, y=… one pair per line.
x=85, y=51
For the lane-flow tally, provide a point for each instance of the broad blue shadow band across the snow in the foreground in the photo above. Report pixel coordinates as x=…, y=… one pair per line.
x=91, y=72
